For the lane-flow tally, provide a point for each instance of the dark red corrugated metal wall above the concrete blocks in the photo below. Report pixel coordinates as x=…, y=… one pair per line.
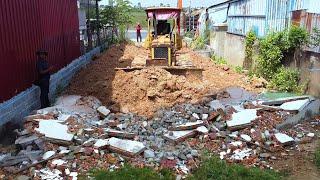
x=28, y=25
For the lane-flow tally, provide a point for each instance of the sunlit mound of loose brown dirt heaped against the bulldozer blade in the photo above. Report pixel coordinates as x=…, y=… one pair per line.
x=146, y=90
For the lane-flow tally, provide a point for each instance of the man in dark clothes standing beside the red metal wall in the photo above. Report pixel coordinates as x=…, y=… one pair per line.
x=43, y=71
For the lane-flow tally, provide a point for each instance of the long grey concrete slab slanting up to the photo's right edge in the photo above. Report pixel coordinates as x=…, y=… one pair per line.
x=308, y=112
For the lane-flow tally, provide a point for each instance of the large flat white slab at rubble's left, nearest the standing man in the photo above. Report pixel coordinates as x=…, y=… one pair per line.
x=54, y=130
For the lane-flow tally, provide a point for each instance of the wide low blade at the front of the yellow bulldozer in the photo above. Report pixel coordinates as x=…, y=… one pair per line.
x=188, y=72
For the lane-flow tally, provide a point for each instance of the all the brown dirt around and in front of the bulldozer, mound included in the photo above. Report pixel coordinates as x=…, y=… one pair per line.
x=145, y=91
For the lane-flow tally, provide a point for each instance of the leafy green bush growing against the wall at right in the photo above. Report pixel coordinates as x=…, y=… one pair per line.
x=273, y=48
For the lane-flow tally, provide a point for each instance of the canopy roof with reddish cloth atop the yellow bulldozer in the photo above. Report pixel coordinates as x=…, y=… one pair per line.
x=163, y=13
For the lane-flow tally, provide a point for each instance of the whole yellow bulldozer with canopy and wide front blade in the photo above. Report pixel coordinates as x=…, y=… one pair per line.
x=164, y=41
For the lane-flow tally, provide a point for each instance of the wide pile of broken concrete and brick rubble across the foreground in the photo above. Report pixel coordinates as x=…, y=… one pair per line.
x=78, y=134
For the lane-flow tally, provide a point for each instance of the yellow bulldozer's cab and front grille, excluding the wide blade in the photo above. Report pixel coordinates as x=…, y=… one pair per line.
x=163, y=39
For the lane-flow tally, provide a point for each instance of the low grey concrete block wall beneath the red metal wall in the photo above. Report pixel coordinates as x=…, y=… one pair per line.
x=24, y=103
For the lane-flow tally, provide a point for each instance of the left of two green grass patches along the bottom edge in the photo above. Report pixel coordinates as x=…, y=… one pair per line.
x=128, y=173
